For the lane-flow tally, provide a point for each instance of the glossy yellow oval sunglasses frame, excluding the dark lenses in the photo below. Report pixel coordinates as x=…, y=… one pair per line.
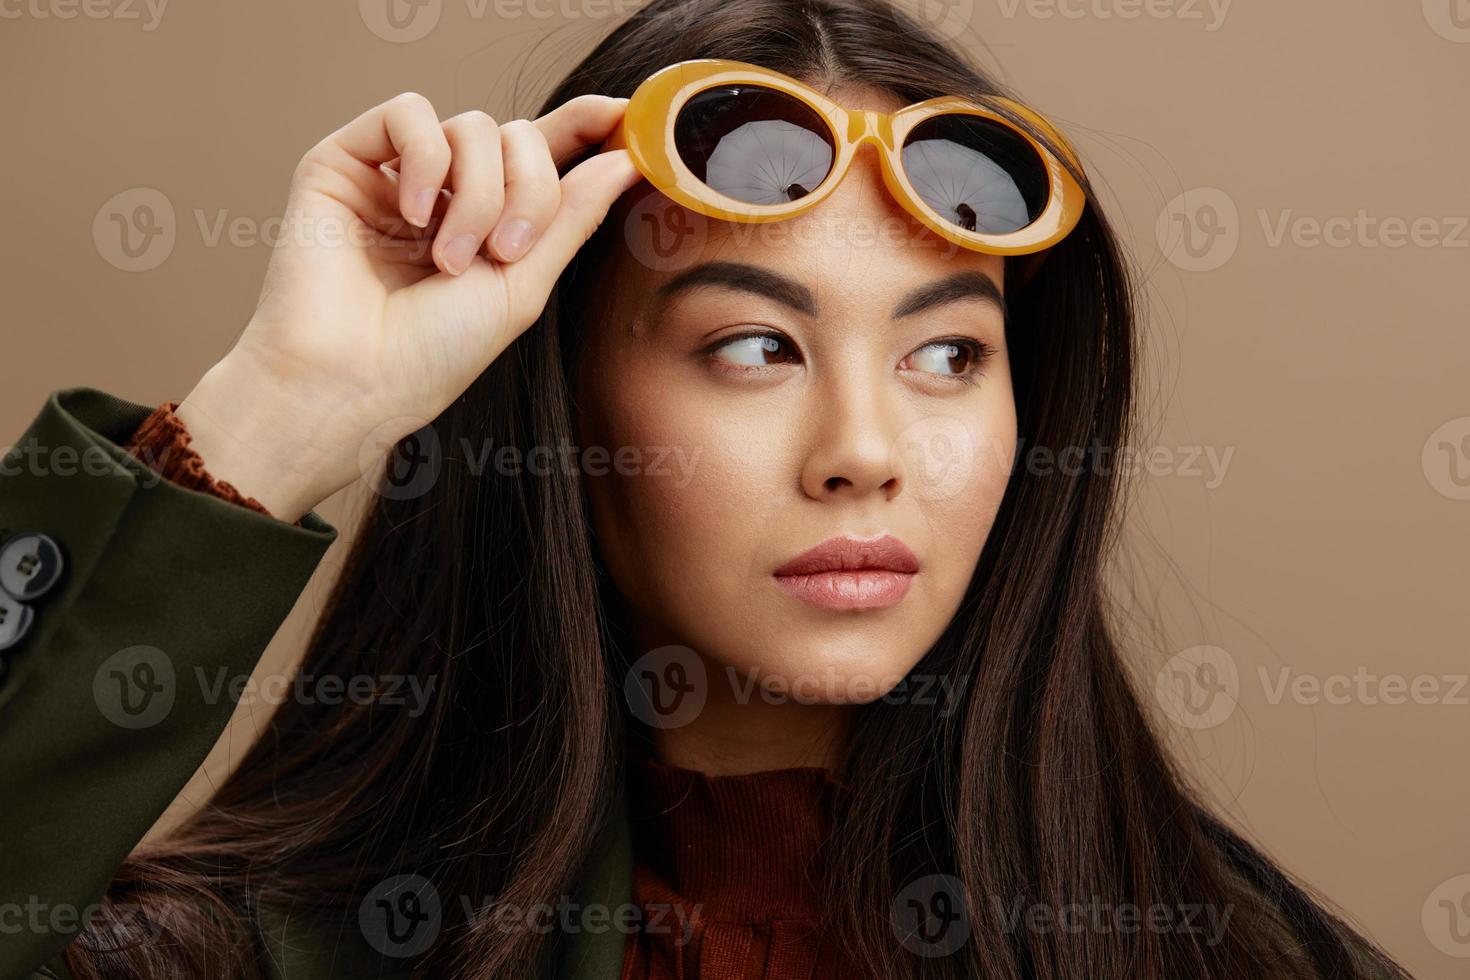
x=648, y=131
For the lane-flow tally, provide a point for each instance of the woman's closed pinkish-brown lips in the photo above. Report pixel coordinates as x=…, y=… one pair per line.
x=850, y=574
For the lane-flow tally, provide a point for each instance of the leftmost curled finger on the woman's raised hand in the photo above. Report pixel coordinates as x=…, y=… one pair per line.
x=404, y=127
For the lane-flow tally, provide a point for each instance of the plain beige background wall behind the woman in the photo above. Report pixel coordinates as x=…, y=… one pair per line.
x=1330, y=537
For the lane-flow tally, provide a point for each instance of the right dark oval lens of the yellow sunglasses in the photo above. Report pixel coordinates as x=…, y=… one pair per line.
x=977, y=173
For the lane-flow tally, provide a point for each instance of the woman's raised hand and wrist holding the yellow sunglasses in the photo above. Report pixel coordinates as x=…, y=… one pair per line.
x=380, y=305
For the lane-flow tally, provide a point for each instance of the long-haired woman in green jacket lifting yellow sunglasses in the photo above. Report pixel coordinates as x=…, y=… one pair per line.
x=914, y=749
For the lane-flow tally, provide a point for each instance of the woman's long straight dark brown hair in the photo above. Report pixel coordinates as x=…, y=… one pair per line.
x=1047, y=787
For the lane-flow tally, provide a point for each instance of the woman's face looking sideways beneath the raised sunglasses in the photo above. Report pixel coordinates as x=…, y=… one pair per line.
x=836, y=378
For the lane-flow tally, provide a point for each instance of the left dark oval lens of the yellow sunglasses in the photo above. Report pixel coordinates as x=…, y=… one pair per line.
x=755, y=145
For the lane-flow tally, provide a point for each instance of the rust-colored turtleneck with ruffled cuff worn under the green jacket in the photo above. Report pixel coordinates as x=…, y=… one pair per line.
x=727, y=868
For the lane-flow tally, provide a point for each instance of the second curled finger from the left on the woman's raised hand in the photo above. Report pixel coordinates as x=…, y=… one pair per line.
x=477, y=190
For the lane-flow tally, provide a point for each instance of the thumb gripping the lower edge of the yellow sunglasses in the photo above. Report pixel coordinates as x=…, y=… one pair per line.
x=587, y=195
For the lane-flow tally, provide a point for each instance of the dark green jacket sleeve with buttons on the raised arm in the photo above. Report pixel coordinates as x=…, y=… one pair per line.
x=129, y=605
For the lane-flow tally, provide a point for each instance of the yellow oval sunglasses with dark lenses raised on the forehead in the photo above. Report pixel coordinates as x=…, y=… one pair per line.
x=743, y=143
